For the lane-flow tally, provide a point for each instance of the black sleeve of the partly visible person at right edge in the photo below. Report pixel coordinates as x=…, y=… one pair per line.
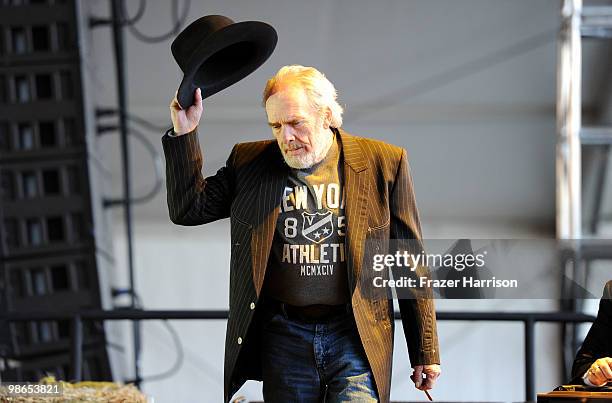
x=594, y=346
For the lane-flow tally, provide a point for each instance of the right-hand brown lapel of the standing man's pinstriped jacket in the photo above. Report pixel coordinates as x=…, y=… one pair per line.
x=357, y=188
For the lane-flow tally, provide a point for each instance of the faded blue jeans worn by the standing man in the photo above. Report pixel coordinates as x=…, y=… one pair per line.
x=308, y=362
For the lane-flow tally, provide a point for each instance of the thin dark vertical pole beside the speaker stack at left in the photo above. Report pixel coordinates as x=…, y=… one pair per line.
x=117, y=16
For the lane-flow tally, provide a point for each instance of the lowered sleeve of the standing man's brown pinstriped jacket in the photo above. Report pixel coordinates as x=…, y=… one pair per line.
x=417, y=310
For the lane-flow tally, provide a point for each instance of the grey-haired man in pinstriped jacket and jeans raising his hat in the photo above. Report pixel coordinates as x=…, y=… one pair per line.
x=301, y=208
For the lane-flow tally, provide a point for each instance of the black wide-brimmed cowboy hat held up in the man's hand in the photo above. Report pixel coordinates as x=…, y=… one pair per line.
x=214, y=52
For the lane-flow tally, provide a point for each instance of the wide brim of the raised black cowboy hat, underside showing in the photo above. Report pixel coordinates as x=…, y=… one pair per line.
x=226, y=57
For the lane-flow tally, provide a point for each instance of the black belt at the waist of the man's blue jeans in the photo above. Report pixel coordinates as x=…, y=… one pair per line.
x=316, y=313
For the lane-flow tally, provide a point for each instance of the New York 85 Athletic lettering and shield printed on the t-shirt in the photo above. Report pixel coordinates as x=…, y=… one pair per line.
x=312, y=226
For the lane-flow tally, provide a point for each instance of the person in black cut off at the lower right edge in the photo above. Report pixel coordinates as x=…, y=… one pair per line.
x=593, y=362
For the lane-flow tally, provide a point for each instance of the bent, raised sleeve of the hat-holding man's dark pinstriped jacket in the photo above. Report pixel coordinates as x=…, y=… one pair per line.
x=193, y=199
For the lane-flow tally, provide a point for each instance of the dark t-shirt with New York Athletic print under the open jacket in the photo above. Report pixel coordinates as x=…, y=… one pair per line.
x=307, y=263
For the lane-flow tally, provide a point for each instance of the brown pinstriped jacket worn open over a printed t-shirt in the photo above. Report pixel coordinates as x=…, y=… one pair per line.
x=380, y=204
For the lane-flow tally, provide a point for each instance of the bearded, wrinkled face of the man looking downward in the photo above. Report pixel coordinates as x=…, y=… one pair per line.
x=302, y=134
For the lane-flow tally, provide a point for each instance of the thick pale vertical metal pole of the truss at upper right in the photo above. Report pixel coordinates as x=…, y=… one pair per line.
x=569, y=70
